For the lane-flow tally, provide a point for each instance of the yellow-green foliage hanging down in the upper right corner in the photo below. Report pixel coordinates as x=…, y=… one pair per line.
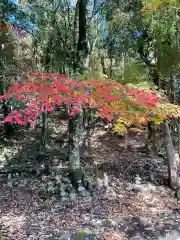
x=162, y=20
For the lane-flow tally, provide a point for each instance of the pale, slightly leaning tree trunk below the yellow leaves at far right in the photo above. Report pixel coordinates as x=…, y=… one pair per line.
x=172, y=164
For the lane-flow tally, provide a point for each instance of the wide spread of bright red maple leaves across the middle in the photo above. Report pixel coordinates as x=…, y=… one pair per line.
x=60, y=89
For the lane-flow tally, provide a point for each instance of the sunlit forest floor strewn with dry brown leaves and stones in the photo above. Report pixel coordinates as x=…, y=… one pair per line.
x=116, y=214
